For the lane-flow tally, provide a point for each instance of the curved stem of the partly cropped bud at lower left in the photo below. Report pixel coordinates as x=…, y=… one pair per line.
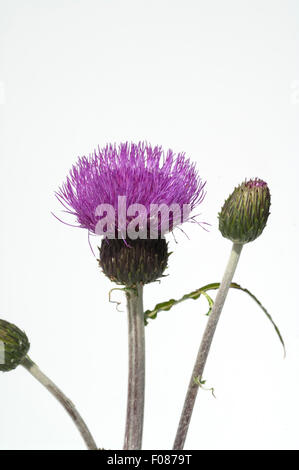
x=65, y=402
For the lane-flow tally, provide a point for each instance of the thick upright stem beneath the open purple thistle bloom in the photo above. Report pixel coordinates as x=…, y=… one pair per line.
x=136, y=379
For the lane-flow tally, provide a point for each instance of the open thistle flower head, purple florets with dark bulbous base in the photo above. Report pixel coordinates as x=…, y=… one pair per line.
x=162, y=188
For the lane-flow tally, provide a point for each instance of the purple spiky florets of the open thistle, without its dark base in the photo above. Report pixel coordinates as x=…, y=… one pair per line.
x=143, y=174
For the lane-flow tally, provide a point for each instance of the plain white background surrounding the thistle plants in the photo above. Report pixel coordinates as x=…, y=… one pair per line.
x=216, y=79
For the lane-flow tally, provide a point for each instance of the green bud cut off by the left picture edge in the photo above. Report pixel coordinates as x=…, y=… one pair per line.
x=14, y=346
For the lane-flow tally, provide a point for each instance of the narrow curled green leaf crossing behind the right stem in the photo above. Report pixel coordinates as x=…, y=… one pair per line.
x=165, y=306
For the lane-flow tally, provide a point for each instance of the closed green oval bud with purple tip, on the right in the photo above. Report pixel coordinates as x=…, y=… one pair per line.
x=244, y=214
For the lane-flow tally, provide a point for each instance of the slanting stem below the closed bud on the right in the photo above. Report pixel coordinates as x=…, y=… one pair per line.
x=205, y=347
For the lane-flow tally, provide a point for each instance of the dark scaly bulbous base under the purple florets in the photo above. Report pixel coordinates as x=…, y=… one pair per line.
x=133, y=261
